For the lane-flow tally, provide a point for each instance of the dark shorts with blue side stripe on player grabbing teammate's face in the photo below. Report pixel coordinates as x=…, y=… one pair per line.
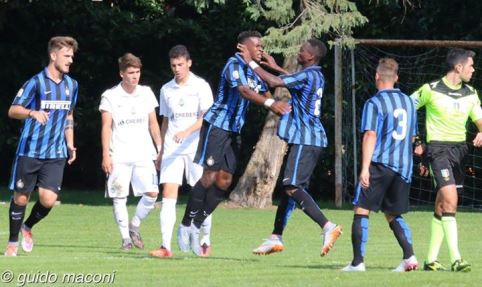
x=300, y=163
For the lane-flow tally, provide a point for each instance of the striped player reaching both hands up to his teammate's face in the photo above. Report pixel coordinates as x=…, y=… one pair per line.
x=303, y=131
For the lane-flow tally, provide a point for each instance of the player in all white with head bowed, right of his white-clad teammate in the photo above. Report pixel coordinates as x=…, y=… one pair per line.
x=183, y=101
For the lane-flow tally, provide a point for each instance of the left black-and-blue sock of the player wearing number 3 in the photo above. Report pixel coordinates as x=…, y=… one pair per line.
x=359, y=237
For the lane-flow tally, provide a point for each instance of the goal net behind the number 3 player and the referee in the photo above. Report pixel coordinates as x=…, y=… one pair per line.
x=417, y=65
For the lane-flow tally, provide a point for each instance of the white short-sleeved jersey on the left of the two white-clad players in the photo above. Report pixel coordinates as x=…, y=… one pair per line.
x=131, y=140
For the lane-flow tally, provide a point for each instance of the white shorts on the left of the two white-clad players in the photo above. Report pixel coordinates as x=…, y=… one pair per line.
x=141, y=175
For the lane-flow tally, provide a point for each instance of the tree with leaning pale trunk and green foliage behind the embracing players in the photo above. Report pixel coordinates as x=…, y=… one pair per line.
x=296, y=22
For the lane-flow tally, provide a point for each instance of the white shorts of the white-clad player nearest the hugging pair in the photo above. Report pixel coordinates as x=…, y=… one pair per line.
x=175, y=166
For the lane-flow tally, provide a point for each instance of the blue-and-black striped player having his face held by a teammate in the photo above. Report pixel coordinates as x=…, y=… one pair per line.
x=219, y=140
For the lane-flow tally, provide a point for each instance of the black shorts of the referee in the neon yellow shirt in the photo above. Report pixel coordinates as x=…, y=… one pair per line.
x=447, y=163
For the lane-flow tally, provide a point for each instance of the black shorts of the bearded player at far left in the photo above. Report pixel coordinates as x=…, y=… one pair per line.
x=28, y=173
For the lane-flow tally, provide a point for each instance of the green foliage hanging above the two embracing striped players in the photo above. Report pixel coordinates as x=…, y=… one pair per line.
x=332, y=19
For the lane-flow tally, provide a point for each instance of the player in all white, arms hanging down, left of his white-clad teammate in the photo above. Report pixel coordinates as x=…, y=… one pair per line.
x=129, y=128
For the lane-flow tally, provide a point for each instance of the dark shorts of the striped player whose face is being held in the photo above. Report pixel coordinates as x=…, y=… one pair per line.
x=217, y=149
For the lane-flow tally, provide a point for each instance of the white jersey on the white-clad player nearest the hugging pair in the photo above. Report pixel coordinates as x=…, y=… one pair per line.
x=183, y=106
